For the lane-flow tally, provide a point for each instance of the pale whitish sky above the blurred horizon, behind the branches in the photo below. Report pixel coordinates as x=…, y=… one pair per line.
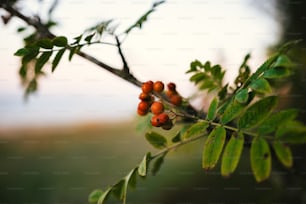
x=221, y=31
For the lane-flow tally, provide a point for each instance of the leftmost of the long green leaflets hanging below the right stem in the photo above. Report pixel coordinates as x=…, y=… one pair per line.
x=213, y=147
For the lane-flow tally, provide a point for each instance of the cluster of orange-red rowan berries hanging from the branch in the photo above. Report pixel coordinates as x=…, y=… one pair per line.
x=148, y=104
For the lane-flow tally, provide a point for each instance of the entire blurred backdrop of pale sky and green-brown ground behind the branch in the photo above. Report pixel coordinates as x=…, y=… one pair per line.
x=79, y=131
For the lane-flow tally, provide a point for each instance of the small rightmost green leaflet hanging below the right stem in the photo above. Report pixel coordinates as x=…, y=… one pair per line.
x=283, y=153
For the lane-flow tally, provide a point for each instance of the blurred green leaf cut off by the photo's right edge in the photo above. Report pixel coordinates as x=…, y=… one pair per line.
x=293, y=132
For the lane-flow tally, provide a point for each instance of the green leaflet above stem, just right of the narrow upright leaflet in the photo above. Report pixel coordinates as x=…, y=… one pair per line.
x=232, y=111
